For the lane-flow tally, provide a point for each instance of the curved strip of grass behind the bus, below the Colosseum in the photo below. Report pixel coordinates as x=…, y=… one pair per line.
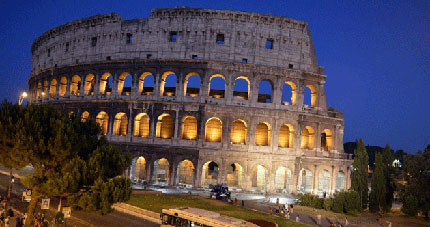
x=158, y=202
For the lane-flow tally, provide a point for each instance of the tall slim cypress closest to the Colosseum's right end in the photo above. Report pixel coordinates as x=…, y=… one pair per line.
x=360, y=174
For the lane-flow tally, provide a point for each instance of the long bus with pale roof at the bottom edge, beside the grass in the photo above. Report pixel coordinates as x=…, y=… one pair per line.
x=194, y=217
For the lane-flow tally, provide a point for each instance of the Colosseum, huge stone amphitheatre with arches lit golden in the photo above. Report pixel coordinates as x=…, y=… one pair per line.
x=200, y=97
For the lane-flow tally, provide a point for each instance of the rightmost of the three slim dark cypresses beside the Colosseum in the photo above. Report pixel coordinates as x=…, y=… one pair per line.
x=388, y=169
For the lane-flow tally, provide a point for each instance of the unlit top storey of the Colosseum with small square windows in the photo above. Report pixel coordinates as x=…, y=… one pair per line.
x=180, y=33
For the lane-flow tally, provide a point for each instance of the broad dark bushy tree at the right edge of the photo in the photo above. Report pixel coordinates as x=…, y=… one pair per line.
x=415, y=194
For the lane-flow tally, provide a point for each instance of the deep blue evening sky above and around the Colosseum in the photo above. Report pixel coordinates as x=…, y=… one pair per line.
x=376, y=54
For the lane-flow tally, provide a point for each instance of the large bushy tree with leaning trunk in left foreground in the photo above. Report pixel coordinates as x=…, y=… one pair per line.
x=68, y=156
